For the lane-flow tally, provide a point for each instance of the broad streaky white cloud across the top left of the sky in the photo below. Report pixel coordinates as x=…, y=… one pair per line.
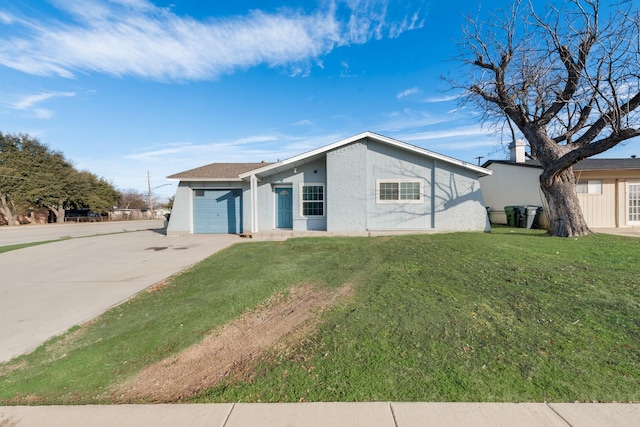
x=136, y=37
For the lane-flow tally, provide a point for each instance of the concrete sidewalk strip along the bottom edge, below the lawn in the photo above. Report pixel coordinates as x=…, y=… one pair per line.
x=374, y=414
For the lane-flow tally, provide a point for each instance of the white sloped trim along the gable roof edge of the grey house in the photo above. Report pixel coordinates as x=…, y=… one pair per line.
x=394, y=142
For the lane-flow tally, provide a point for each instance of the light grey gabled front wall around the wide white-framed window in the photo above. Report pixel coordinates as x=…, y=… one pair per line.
x=355, y=170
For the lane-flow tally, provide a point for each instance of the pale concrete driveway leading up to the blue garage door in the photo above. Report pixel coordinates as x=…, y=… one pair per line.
x=46, y=289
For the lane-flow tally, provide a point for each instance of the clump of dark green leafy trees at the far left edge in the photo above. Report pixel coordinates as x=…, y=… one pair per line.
x=31, y=173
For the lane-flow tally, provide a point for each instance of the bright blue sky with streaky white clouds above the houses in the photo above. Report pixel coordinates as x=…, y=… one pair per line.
x=126, y=87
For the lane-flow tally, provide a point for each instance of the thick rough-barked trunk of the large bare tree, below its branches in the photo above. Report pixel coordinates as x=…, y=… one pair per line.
x=565, y=214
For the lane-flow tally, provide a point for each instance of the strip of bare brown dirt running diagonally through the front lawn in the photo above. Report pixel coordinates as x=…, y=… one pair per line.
x=233, y=349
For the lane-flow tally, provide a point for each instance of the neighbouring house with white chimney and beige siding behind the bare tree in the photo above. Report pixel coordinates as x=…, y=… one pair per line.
x=608, y=189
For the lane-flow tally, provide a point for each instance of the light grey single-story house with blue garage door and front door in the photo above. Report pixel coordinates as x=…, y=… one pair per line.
x=364, y=183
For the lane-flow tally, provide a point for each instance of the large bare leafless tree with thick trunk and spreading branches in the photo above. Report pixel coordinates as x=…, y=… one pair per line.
x=567, y=78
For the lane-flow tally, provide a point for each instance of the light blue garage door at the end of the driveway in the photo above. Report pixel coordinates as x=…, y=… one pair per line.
x=217, y=211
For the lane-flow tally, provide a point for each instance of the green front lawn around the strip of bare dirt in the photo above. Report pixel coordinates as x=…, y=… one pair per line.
x=513, y=315
